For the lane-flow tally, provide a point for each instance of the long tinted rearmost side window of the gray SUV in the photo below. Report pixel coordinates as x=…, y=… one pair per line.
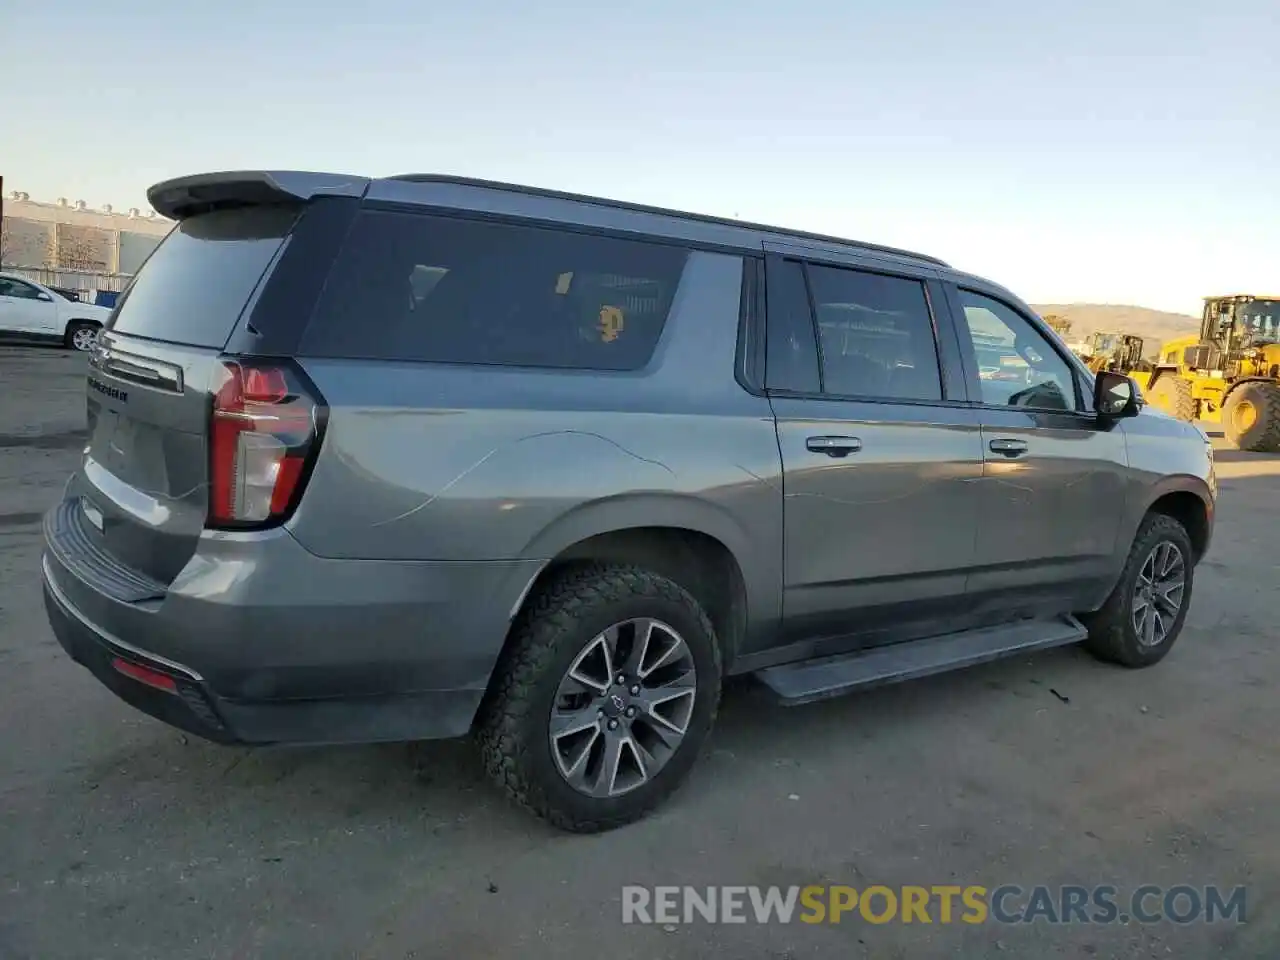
x=431, y=289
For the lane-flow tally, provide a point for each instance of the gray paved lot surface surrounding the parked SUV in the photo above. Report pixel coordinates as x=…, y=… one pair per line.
x=121, y=838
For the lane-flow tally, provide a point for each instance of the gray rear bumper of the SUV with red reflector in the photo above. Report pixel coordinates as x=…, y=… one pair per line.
x=267, y=643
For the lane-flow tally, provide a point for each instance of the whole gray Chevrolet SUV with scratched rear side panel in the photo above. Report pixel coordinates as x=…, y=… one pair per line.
x=424, y=458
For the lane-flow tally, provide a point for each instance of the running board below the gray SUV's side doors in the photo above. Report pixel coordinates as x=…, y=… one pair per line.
x=831, y=676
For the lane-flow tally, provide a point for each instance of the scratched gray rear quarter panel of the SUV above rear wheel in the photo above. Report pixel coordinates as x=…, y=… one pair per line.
x=449, y=463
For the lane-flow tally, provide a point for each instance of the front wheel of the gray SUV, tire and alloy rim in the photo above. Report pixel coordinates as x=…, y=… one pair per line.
x=1142, y=619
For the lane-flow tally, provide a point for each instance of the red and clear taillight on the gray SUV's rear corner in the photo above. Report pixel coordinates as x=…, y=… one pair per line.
x=266, y=431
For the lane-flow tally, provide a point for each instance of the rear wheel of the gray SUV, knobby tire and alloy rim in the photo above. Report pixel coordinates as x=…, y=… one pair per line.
x=604, y=700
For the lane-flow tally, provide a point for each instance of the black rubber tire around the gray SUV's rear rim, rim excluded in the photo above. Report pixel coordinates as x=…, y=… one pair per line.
x=554, y=629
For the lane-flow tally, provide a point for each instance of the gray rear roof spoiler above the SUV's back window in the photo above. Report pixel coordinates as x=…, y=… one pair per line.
x=188, y=196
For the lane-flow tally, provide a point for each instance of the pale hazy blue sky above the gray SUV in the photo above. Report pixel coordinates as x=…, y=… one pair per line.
x=1123, y=152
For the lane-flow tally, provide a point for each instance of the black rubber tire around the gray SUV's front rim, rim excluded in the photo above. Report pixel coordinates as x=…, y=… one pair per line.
x=1113, y=637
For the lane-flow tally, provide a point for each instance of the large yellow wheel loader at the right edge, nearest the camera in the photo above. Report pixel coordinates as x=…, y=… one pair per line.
x=1228, y=374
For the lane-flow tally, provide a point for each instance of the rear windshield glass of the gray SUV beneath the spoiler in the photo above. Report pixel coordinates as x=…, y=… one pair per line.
x=196, y=284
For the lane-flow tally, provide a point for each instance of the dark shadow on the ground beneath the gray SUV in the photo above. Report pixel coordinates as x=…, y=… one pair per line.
x=440, y=787
